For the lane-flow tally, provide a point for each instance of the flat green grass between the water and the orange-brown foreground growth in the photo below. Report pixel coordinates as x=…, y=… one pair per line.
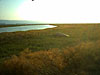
x=14, y=42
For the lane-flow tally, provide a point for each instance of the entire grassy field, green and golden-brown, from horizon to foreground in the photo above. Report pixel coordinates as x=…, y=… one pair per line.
x=42, y=52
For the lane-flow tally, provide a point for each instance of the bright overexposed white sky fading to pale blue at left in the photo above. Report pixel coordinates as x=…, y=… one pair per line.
x=51, y=11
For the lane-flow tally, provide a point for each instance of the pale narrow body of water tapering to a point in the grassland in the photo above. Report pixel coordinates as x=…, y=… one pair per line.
x=25, y=28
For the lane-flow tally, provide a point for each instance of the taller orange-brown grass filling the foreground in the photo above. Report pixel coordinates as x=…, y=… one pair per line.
x=82, y=59
